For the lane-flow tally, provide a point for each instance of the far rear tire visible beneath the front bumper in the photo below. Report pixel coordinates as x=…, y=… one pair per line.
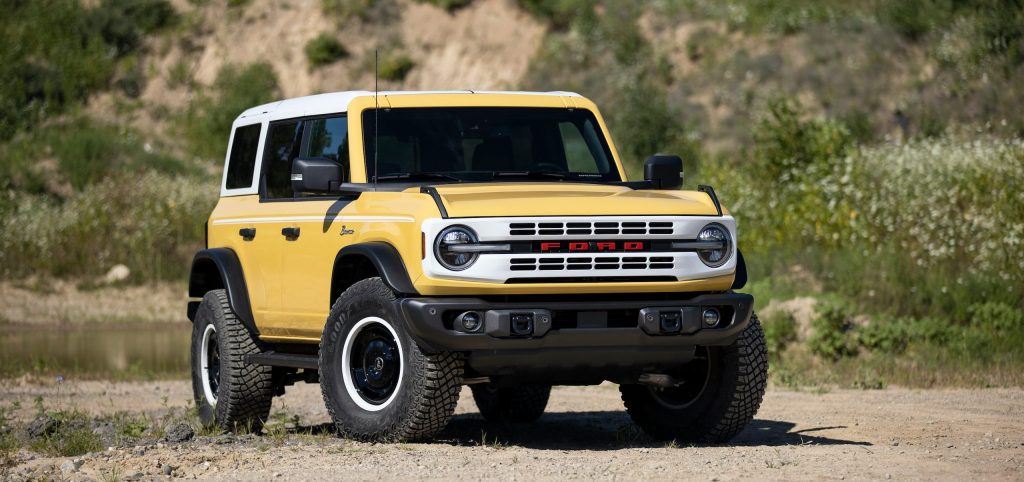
x=517, y=405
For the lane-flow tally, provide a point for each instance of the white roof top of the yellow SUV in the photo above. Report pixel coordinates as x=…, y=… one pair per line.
x=338, y=102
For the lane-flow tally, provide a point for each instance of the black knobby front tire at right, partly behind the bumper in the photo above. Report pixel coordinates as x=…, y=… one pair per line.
x=739, y=374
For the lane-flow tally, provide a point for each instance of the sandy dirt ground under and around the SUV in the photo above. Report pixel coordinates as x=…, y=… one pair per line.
x=839, y=435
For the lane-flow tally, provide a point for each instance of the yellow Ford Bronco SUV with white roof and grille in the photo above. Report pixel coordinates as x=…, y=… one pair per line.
x=396, y=246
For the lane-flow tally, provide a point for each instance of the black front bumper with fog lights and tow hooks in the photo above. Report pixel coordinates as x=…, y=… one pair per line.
x=574, y=339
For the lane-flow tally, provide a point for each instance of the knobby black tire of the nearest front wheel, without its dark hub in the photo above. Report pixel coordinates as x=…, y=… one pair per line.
x=428, y=388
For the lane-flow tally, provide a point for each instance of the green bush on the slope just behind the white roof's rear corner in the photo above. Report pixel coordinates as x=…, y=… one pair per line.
x=208, y=119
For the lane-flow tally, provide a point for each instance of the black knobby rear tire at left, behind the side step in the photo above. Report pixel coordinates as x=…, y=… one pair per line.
x=245, y=392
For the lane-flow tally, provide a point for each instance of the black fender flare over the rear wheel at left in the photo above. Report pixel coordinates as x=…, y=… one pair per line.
x=220, y=269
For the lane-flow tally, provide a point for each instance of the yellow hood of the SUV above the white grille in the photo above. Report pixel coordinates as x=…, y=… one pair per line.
x=552, y=199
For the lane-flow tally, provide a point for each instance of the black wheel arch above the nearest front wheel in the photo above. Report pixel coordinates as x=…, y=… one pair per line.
x=358, y=262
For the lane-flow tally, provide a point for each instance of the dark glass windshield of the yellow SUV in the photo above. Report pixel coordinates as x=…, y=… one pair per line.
x=453, y=145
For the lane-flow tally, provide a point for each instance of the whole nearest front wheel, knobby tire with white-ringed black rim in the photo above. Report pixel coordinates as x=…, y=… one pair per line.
x=377, y=384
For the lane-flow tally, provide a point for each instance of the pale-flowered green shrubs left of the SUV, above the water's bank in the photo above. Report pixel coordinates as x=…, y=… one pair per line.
x=151, y=223
